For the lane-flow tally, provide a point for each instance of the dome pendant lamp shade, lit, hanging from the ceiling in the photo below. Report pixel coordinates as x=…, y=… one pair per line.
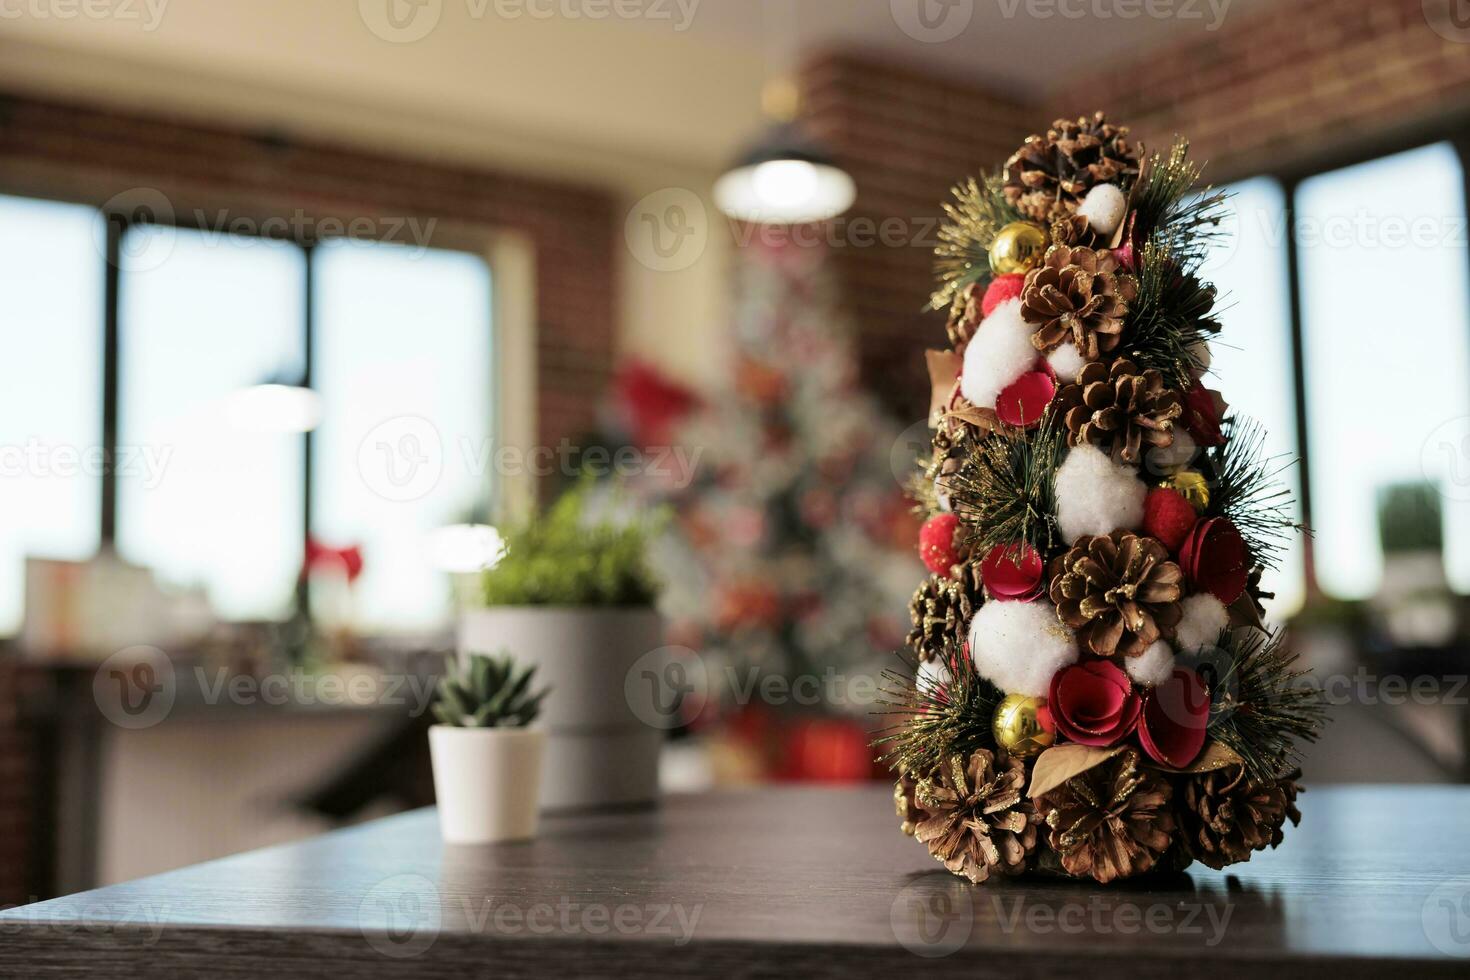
x=784, y=180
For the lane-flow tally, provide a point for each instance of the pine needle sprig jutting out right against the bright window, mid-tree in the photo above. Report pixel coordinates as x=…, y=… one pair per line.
x=1247, y=491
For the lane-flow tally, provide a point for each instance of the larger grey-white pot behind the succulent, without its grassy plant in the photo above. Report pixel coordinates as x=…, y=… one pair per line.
x=600, y=752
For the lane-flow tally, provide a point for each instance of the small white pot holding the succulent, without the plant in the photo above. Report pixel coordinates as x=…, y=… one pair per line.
x=487, y=782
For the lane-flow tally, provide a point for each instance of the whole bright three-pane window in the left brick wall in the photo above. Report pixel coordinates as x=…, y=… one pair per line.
x=389, y=336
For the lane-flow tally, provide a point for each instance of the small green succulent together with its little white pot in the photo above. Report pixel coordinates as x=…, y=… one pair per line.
x=487, y=760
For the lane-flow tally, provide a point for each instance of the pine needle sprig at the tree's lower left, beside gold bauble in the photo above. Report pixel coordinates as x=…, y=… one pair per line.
x=936, y=721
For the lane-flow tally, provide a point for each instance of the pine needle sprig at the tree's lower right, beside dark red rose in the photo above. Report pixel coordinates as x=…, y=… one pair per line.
x=1263, y=710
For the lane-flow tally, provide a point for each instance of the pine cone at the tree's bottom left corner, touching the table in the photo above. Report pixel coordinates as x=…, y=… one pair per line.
x=975, y=819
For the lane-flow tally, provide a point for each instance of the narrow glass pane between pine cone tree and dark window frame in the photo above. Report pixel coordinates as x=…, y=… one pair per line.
x=1252, y=356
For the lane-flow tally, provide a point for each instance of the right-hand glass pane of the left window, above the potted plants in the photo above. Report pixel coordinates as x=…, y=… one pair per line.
x=404, y=364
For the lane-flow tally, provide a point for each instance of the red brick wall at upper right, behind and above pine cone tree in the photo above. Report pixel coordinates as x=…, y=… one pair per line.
x=1302, y=83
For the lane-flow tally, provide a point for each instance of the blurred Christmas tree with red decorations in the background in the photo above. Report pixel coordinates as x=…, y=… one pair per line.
x=796, y=547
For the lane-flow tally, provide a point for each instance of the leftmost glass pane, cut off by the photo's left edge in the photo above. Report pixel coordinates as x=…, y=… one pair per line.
x=51, y=389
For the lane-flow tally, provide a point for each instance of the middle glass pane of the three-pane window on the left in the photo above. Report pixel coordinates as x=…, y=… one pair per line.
x=202, y=317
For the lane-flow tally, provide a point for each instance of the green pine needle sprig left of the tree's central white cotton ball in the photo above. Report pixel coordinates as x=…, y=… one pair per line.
x=1006, y=490
